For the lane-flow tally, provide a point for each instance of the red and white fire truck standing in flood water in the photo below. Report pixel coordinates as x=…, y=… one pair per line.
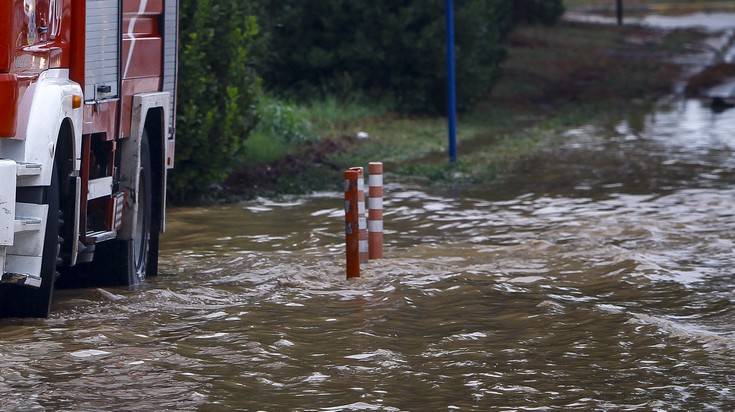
x=87, y=100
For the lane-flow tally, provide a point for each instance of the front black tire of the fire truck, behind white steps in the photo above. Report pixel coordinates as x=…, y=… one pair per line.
x=27, y=302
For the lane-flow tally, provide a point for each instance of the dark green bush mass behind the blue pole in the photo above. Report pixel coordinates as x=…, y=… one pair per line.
x=384, y=47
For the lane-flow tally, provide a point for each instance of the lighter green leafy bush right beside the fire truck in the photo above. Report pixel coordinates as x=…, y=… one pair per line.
x=218, y=89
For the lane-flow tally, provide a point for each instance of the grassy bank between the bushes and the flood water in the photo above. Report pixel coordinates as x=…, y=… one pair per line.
x=554, y=78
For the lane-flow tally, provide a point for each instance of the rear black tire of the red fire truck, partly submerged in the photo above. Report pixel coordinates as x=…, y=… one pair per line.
x=127, y=262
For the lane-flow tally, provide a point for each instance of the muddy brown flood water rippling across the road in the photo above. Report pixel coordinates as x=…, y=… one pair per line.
x=598, y=276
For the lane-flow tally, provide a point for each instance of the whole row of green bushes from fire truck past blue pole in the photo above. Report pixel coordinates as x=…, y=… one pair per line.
x=232, y=52
